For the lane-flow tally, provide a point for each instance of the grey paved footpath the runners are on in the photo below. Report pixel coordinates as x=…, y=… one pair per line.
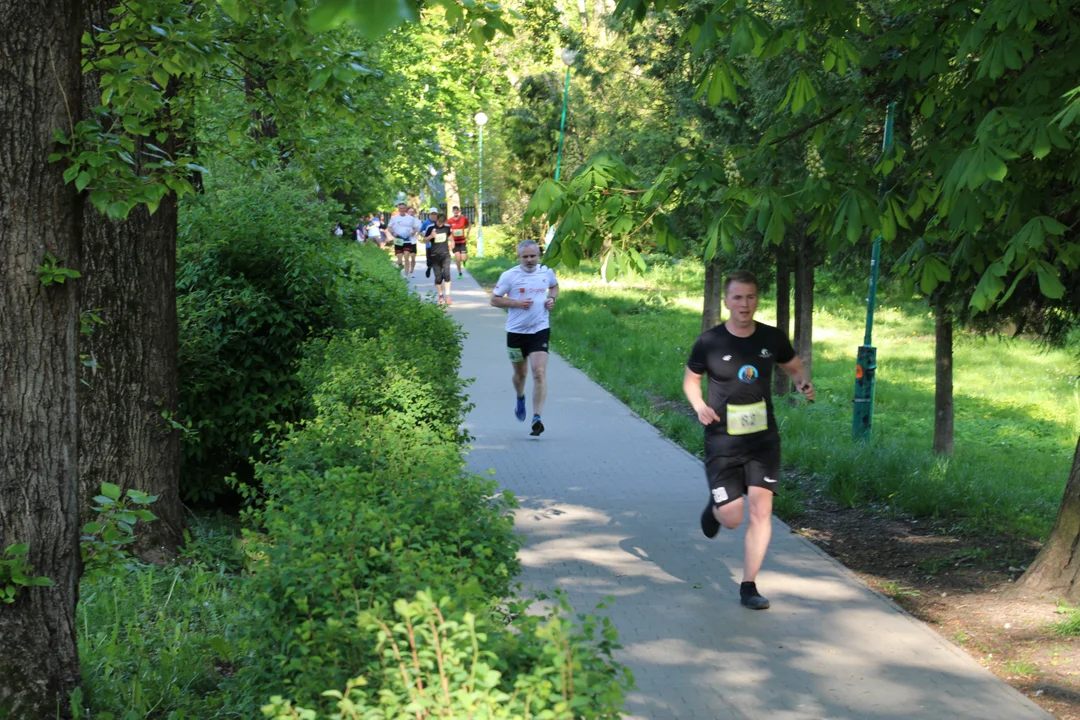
x=611, y=508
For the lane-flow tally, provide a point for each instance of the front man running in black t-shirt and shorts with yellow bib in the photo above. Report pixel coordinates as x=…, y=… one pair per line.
x=742, y=446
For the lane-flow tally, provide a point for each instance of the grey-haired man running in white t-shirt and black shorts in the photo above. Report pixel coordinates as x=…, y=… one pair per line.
x=529, y=293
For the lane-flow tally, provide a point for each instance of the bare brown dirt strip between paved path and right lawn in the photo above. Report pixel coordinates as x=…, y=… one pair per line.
x=955, y=582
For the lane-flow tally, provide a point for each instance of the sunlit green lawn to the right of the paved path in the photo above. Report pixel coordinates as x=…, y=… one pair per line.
x=1018, y=406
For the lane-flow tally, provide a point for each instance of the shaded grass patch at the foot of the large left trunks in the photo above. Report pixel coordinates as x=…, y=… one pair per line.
x=165, y=642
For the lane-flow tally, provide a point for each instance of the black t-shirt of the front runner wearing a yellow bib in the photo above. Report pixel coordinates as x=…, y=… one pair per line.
x=740, y=375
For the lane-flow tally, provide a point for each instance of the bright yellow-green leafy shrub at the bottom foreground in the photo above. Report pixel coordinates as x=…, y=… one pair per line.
x=438, y=663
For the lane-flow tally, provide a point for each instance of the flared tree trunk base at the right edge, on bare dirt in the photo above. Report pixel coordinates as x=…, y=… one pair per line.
x=1057, y=570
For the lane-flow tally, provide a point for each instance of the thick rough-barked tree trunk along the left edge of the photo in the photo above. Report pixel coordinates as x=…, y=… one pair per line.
x=39, y=327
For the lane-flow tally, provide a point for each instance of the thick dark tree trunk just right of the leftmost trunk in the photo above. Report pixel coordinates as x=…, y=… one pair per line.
x=130, y=282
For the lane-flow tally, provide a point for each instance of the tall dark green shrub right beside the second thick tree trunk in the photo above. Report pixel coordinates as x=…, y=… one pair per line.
x=258, y=277
